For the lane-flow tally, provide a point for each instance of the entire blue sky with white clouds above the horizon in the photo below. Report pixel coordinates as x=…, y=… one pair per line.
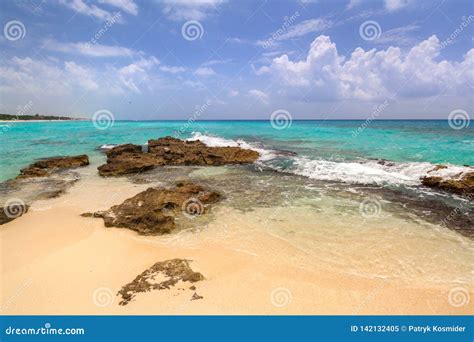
x=237, y=60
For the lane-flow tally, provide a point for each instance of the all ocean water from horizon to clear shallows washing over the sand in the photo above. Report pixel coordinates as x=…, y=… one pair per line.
x=349, y=201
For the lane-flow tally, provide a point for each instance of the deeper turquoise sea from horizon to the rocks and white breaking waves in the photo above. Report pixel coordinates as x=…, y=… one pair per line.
x=331, y=150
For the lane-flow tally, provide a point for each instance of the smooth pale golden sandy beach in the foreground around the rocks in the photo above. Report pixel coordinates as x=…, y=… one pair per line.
x=54, y=261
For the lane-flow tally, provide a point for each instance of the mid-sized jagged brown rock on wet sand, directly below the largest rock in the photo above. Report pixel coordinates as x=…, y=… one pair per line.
x=153, y=211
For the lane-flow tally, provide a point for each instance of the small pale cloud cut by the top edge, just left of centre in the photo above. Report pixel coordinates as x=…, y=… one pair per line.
x=189, y=9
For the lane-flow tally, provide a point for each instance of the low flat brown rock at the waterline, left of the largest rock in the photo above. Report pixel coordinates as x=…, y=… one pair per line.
x=44, y=167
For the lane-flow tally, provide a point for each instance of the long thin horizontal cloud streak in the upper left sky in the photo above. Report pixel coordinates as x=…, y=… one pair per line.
x=91, y=50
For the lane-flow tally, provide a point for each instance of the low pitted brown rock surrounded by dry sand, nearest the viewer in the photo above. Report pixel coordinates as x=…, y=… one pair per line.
x=170, y=272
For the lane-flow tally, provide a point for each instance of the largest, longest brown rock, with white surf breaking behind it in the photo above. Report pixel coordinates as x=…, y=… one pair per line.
x=129, y=158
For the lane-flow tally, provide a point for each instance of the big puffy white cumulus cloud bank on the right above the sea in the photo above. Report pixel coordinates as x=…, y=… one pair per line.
x=373, y=74
